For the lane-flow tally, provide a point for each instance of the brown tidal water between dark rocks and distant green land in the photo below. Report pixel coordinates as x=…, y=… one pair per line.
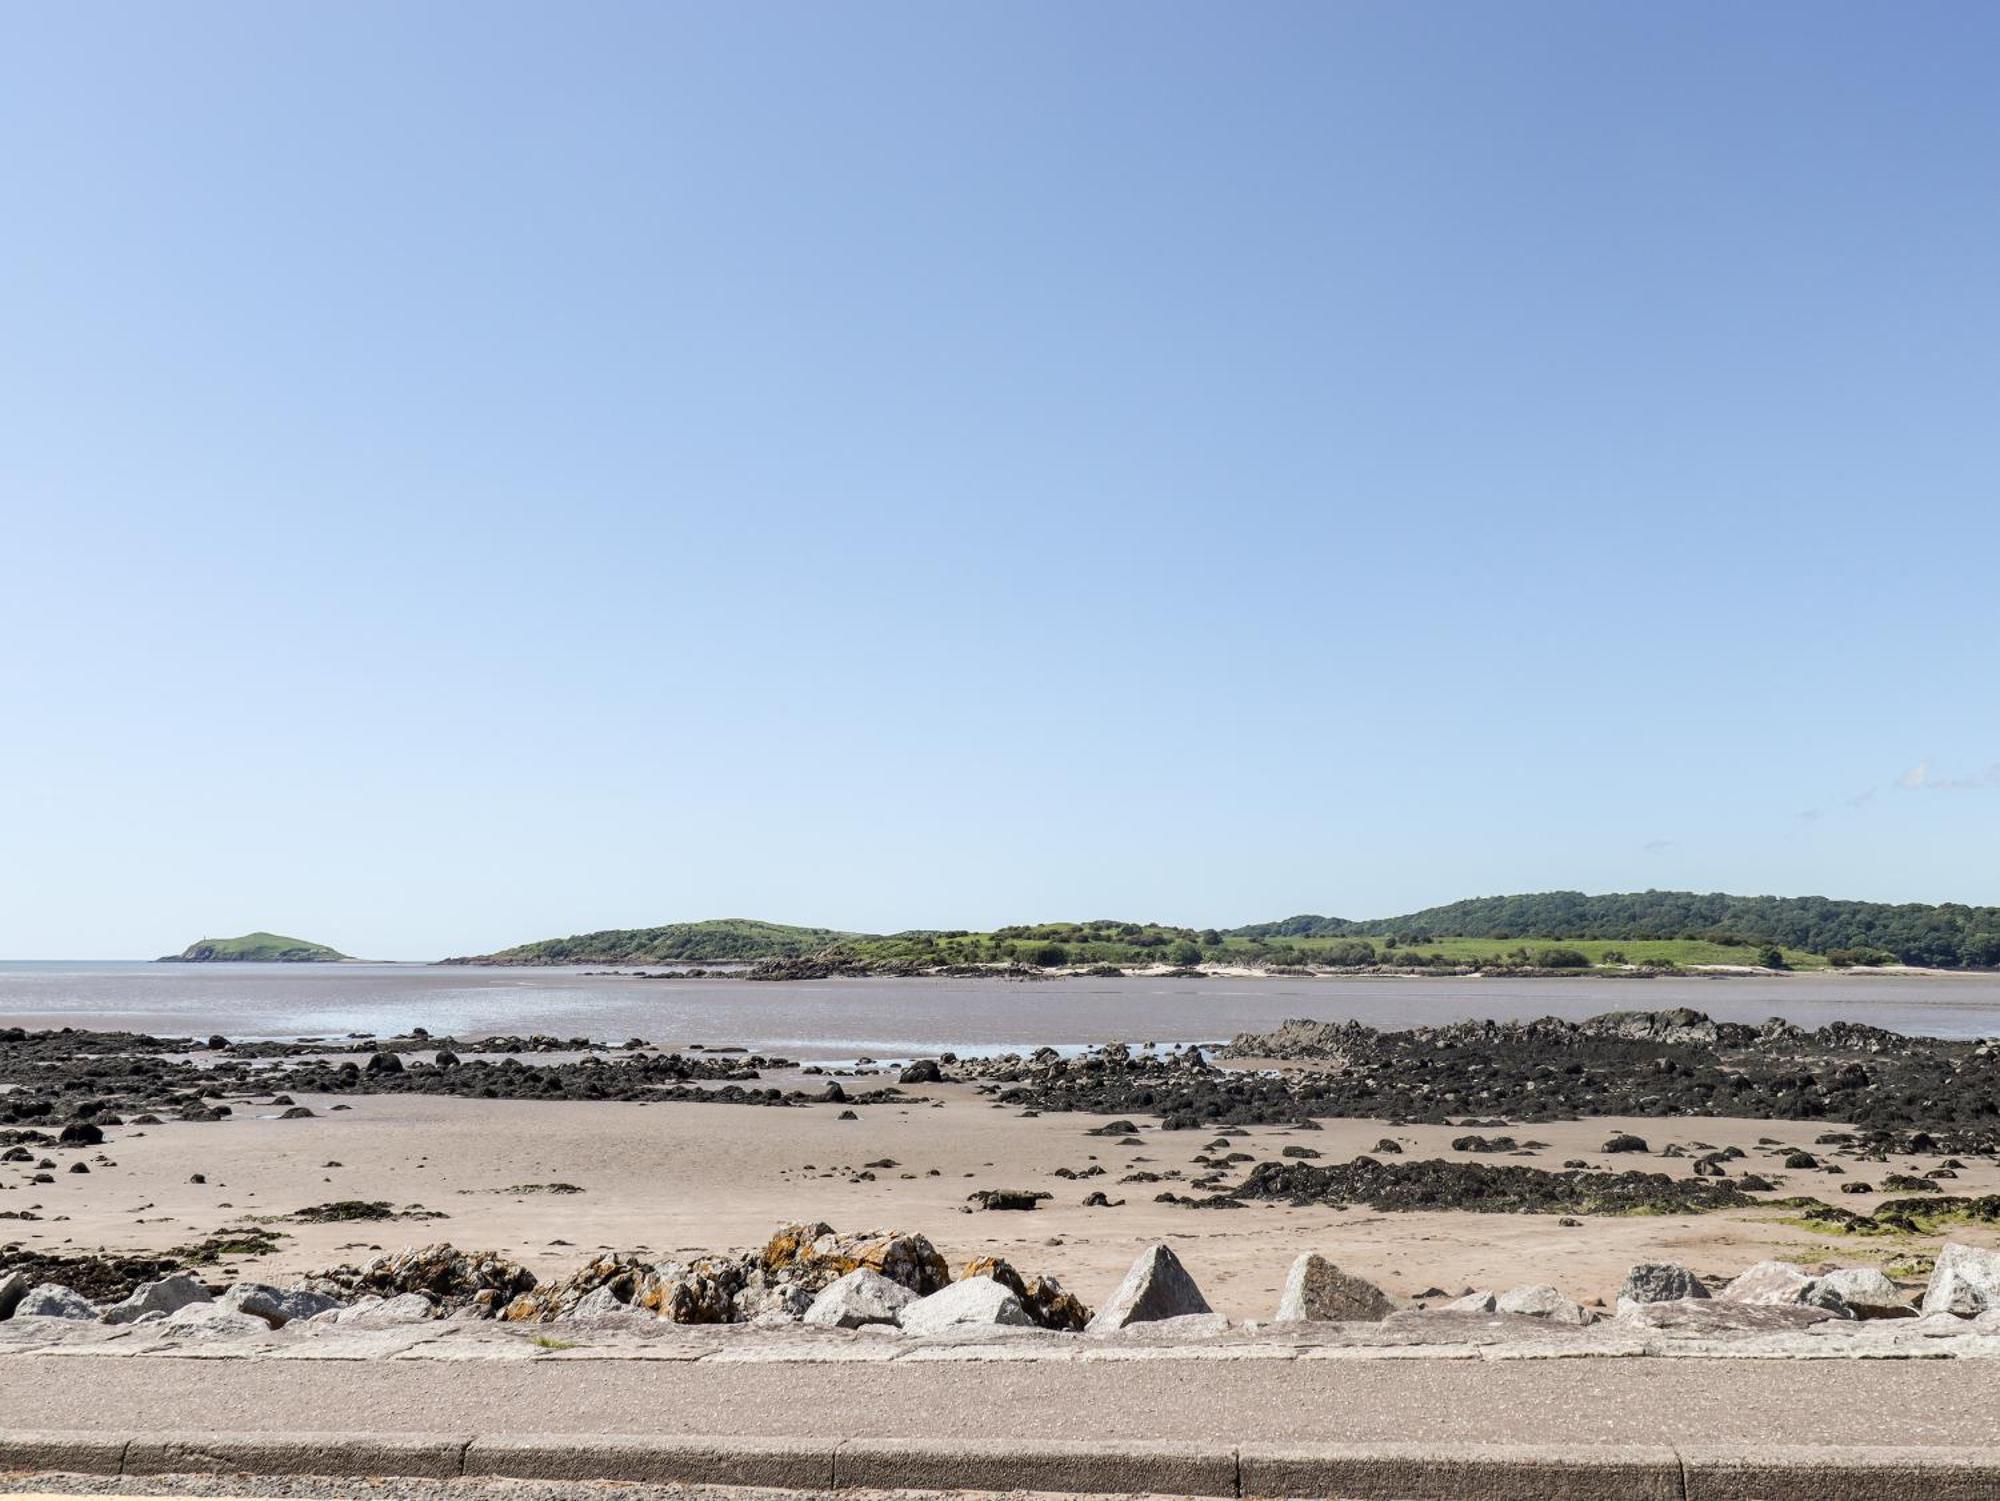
x=889, y=1020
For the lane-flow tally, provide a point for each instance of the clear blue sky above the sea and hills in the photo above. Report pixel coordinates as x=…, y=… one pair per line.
x=483, y=471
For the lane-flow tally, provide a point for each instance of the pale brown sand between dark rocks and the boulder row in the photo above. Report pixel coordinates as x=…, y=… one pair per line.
x=673, y=1180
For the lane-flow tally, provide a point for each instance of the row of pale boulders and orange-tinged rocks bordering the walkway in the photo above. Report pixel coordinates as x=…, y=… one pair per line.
x=815, y=1278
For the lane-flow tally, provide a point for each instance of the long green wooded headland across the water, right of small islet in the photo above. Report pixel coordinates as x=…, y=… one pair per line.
x=1541, y=932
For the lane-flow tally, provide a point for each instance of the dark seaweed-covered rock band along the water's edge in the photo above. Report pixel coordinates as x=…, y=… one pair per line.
x=1669, y=1064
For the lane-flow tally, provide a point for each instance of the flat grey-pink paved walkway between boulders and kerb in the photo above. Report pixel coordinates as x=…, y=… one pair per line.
x=1575, y=1402
